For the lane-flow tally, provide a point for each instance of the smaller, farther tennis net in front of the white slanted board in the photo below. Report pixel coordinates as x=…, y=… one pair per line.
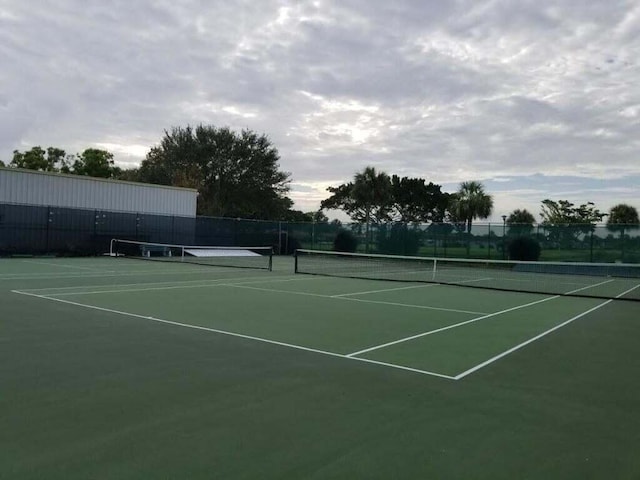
x=219, y=256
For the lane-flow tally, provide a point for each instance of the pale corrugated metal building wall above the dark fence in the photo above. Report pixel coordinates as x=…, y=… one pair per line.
x=74, y=191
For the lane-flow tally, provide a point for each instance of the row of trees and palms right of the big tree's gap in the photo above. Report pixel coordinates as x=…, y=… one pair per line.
x=376, y=197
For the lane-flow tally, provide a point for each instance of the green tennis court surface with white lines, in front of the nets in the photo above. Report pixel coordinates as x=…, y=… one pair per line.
x=125, y=369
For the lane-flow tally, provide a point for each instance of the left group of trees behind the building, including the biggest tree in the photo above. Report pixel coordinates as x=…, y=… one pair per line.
x=236, y=174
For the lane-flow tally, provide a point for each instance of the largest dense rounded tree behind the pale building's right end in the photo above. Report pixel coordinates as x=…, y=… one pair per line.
x=236, y=174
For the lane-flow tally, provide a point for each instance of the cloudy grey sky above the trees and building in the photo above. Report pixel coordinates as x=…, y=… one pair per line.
x=535, y=99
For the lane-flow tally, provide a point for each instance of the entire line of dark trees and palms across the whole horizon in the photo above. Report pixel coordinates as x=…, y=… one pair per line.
x=237, y=174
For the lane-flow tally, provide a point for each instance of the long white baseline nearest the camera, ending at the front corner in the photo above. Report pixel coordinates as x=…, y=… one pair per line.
x=238, y=335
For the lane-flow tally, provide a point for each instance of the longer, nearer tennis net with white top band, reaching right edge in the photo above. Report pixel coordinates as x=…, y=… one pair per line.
x=597, y=280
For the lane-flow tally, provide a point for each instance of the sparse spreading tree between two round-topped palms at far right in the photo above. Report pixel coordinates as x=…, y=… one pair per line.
x=565, y=222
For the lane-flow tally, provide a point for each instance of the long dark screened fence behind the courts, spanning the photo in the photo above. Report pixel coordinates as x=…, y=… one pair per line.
x=26, y=229
